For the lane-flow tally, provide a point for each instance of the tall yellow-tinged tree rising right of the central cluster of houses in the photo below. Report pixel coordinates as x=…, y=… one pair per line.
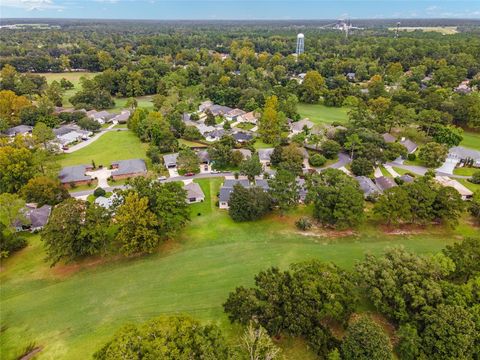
x=271, y=122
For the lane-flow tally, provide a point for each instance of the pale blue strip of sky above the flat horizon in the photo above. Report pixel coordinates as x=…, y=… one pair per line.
x=239, y=9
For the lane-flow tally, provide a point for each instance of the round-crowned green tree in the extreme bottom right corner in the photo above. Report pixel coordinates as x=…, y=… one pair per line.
x=450, y=333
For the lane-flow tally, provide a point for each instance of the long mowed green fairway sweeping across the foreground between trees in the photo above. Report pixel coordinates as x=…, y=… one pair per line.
x=70, y=311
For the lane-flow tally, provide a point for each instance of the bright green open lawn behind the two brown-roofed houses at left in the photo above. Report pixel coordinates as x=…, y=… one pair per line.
x=112, y=146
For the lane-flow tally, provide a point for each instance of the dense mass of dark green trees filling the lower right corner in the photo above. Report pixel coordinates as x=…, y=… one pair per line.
x=433, y=302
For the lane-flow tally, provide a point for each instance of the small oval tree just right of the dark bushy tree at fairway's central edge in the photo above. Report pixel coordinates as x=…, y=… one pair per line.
x=284, y=190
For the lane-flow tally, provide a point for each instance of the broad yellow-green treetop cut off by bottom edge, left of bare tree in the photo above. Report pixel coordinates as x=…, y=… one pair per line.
x=175, y=337
